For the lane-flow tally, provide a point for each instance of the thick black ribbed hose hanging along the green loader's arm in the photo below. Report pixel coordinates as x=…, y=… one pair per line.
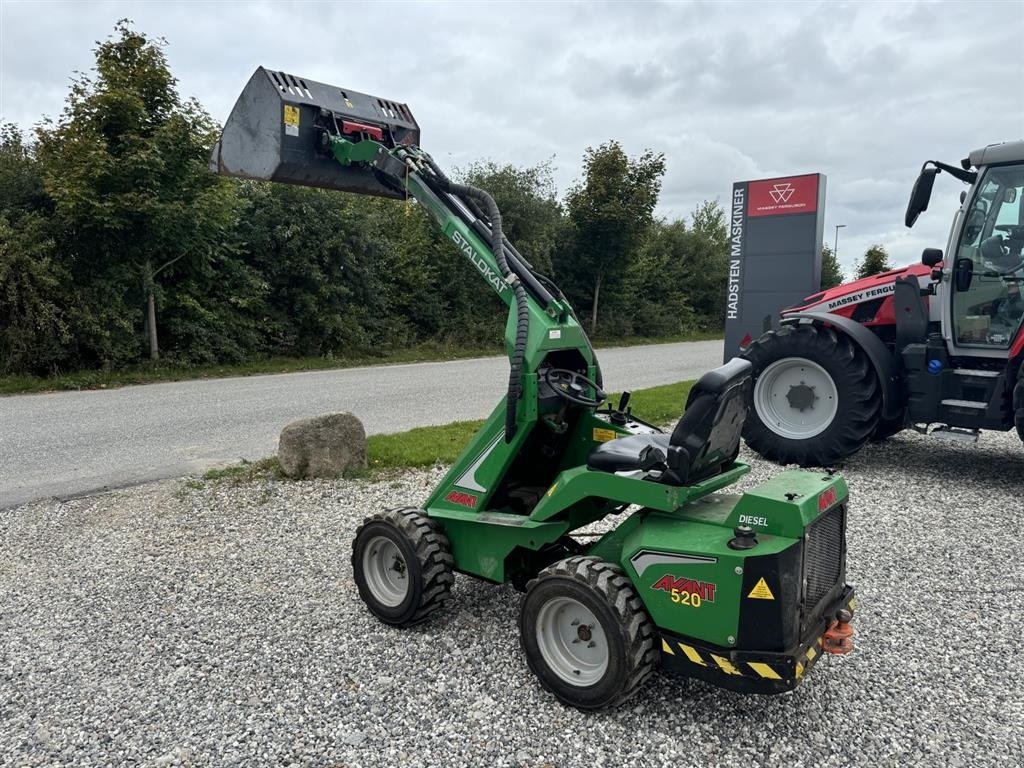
x=523, y=308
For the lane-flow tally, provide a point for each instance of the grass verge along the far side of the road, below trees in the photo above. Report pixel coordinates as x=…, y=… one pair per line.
x=158, y=372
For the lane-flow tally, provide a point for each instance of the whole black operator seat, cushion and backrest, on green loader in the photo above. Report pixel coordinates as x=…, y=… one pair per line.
x=705, y=441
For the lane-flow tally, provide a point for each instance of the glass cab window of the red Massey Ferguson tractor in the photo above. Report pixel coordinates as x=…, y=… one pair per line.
x=990, y=313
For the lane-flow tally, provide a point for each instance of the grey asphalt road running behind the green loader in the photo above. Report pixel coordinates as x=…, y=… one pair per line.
x=67, y=444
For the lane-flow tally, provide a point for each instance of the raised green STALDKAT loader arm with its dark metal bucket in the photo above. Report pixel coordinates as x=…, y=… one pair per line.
x=294, y=131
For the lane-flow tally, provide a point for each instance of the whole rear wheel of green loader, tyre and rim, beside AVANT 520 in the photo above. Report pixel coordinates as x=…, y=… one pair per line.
x=586, y=633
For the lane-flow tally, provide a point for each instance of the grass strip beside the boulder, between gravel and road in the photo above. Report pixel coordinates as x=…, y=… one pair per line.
x=425, y=447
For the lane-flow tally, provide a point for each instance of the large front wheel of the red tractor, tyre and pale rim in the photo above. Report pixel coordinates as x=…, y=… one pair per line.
x=816, y=399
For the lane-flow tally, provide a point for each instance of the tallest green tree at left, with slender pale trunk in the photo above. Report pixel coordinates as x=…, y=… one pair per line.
x=126, y=165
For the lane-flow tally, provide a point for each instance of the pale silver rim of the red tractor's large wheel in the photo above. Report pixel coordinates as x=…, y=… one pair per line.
x=796, y=399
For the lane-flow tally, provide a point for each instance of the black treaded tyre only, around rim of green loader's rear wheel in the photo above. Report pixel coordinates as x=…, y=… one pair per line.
x=606, y=590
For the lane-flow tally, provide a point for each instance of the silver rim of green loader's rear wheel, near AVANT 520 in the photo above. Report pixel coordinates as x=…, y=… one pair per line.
x=572, y=642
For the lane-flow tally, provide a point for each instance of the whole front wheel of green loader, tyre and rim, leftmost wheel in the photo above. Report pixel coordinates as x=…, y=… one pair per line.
x=403, y=567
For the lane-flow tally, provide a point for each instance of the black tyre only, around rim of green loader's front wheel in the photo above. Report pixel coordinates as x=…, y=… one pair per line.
x=429, y=558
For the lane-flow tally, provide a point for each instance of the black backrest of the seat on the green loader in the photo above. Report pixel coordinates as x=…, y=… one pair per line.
x=707, y=437
